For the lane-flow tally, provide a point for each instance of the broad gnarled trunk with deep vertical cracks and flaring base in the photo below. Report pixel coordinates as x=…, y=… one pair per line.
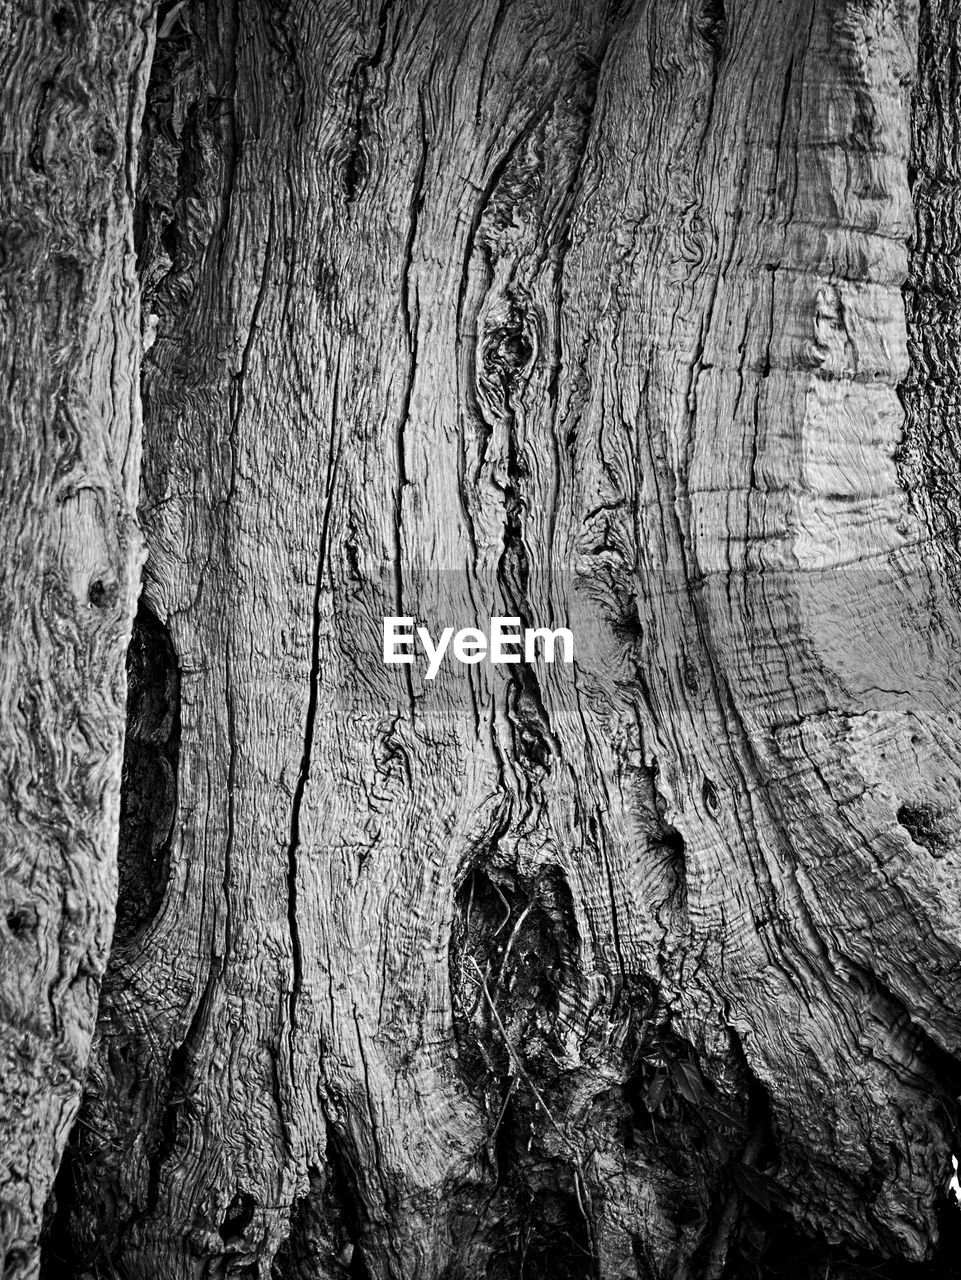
x=600, y=317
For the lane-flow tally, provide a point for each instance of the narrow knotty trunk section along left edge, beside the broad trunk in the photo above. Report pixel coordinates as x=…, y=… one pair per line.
x=72, y=81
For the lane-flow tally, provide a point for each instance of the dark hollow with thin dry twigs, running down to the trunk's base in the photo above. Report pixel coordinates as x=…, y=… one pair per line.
x=512, y=963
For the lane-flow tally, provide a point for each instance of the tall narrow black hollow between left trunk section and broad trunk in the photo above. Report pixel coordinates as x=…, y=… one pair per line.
x=149, y=779
